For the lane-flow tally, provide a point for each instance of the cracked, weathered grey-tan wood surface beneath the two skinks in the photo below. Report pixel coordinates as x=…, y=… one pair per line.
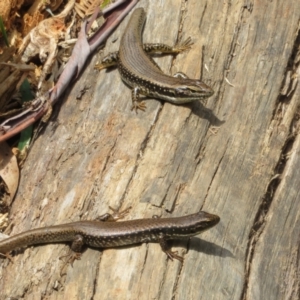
x=170, y=161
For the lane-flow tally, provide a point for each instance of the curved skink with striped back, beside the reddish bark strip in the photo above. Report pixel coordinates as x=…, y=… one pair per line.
x=139, y=71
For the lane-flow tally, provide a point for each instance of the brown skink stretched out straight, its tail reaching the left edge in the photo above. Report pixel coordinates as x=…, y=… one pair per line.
x=101, y=234
